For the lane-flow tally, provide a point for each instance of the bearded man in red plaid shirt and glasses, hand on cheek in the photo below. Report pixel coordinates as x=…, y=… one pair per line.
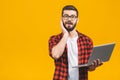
x=71, y=48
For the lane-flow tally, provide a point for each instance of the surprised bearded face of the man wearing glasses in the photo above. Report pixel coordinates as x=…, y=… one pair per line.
x=69, y=19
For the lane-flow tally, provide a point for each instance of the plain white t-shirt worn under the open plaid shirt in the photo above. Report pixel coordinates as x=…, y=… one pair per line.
x=73, y=73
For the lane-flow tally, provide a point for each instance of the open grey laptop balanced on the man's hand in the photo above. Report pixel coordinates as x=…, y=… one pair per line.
x=102, y=52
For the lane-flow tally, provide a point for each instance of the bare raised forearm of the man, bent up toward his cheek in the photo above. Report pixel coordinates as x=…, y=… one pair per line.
x=58, y=50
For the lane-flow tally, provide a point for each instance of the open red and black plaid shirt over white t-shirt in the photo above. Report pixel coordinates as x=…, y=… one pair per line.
x=85, y=46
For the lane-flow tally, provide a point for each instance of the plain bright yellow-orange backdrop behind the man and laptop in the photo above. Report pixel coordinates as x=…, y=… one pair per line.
x=26, y=25
